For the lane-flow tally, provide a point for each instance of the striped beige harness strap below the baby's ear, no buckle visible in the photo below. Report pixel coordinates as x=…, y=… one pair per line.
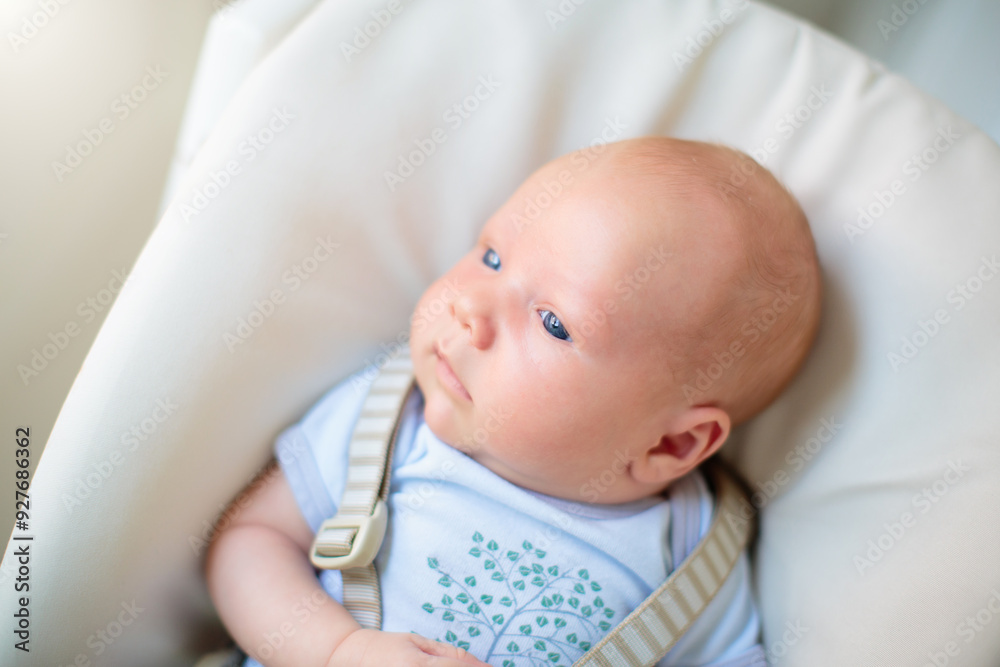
x=649, y=632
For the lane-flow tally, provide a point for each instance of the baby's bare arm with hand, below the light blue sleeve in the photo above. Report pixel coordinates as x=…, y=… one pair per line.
x=264, y=586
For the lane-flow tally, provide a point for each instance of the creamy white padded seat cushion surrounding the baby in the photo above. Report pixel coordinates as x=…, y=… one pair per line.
x=890, y=430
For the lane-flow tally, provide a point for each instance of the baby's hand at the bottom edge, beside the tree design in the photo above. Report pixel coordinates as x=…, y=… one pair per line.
x=399, y=649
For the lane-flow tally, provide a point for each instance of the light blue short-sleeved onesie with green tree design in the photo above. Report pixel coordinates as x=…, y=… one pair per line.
x=515, y=577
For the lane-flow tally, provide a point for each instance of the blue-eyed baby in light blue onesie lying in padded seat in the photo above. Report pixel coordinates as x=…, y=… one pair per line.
x=618, y=315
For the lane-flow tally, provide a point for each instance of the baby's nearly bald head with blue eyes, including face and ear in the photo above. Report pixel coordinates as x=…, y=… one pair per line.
x=619, y=314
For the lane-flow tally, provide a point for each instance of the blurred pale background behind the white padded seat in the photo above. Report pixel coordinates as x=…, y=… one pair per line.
x=62, y=242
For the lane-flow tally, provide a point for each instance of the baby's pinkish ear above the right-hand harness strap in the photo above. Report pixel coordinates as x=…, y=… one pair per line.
x=690, y=438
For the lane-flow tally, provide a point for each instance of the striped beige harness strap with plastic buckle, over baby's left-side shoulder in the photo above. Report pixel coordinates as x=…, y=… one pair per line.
x=369, y=465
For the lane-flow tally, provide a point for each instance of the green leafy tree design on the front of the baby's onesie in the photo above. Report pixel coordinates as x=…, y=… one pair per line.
x=542, y=614
